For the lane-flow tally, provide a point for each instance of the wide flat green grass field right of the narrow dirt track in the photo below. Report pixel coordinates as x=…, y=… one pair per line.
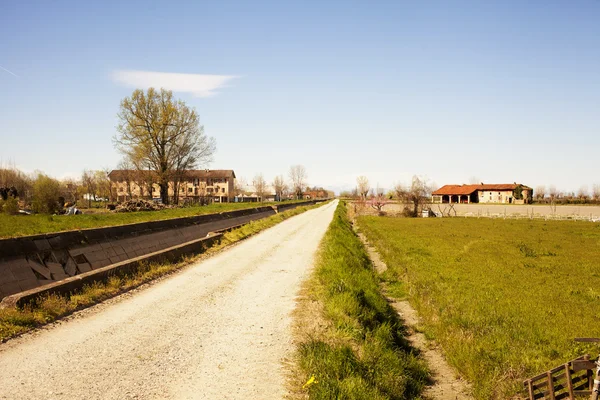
x=504, y=298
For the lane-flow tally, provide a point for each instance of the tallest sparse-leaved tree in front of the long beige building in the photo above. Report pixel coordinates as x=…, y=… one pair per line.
x=162, y=133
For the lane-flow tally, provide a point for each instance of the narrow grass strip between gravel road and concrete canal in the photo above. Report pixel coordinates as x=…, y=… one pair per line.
x=15, y=321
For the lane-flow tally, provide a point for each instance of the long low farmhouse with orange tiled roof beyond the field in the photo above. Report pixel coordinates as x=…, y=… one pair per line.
x=511, y=193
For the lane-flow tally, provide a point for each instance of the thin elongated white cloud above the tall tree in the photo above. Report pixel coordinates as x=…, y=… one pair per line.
x=197, y=84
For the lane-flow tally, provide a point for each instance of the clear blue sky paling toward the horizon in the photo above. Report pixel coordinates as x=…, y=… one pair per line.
x=451, y=90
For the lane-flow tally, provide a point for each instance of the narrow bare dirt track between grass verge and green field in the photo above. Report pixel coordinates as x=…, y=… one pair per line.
x=446, y=385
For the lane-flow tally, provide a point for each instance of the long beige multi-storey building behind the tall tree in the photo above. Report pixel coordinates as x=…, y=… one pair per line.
x=195, y=186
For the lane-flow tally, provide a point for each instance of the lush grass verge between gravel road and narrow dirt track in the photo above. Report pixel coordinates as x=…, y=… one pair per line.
x=359, y=352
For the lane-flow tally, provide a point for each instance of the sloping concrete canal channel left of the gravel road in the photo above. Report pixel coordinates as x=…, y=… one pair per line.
x=33, y=261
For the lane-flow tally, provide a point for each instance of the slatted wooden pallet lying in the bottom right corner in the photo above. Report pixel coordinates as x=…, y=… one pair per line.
x=572, y=380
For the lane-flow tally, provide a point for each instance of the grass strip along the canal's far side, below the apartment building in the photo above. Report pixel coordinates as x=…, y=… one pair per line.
x=23, y=225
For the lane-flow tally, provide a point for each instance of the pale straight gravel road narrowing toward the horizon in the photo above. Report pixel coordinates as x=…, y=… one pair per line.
x=220, y=329
